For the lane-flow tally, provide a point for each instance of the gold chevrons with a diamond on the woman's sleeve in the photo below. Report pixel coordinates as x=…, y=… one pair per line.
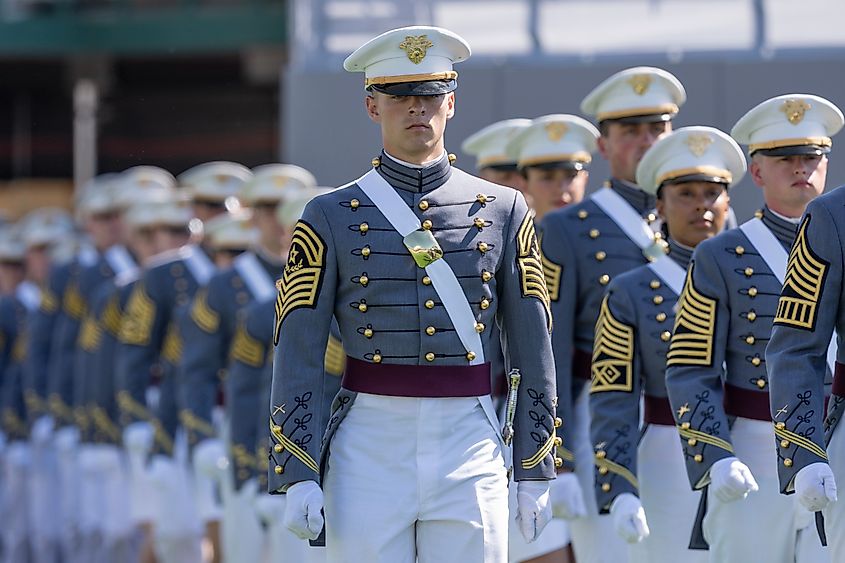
x=613, y=353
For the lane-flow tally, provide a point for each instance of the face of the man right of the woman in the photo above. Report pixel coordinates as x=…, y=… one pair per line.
x=789, y=183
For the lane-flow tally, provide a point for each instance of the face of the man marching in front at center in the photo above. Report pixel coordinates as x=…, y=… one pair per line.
x=412, y=126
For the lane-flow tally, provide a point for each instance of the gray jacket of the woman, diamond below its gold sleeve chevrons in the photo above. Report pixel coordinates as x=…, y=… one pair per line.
x=629, y=361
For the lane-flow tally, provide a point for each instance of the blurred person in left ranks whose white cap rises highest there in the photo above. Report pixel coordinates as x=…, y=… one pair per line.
x=150, y=346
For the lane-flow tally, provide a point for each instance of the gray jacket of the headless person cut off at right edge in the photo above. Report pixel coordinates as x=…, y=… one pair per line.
x=811, y=306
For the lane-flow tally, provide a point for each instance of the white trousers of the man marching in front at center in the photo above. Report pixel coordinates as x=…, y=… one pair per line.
x=413, y=479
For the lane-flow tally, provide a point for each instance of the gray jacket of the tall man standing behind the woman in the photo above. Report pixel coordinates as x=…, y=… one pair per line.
x=583, y=251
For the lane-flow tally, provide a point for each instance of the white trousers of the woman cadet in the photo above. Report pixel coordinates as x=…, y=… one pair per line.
x=669, y=502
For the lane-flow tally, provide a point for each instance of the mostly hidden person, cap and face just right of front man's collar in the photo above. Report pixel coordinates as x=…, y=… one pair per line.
x=491, y=160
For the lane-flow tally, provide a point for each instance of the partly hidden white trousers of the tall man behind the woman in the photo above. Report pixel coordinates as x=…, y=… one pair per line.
x=594, y=539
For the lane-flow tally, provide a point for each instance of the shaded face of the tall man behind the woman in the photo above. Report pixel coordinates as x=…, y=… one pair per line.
x=624, y=144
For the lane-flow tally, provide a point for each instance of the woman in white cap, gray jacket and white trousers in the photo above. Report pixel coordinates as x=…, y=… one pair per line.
x=689, y=171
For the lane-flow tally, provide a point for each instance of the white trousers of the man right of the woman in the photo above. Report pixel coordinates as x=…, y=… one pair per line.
x=764, y=525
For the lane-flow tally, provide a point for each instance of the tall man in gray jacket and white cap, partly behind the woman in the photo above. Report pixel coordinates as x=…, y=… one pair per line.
x=585, y=246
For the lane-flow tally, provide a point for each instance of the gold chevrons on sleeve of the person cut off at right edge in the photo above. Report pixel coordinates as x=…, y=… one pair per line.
x=805, y=274
